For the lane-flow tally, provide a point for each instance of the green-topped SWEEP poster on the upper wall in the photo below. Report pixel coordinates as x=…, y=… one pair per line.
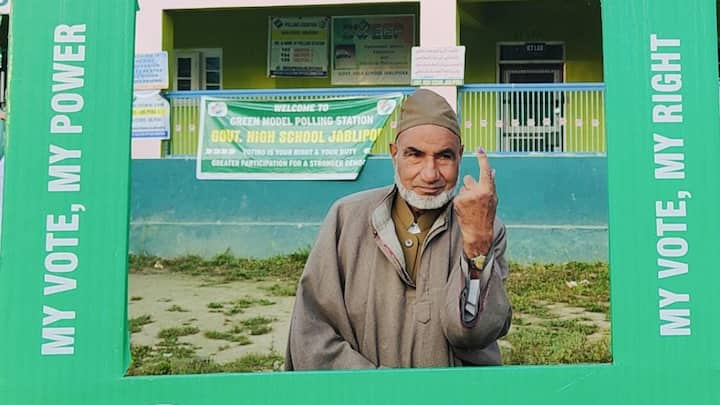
x=372, y=50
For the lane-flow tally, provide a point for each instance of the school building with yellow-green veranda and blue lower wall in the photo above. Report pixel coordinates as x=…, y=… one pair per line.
x=532, y=96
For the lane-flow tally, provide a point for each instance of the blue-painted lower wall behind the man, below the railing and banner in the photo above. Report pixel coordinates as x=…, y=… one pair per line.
x=555, y=208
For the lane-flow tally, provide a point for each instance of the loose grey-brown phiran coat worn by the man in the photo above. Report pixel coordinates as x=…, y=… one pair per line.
x=356, y=307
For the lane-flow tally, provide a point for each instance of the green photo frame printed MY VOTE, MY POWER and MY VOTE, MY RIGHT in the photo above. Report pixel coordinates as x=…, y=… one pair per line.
x=63, y=269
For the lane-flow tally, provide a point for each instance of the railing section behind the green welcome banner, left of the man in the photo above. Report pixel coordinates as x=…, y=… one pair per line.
x=185, y=110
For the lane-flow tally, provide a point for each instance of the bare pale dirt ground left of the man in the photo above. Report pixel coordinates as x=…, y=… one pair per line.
x=174, y=300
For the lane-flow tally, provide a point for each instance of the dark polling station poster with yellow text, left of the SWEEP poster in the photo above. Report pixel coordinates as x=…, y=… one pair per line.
x=298, y=46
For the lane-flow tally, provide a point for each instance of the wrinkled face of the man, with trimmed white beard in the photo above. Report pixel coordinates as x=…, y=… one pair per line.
x=426, y=160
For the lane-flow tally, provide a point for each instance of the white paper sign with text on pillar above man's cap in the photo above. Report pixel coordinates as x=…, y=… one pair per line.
x=438, y=66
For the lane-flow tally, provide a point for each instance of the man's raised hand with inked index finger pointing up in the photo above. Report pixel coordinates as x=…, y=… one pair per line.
x=475, y=206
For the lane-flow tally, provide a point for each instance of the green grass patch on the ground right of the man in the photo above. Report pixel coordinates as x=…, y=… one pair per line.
x=539, y=336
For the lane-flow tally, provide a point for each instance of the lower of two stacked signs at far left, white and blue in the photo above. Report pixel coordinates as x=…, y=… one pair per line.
x=151, y=116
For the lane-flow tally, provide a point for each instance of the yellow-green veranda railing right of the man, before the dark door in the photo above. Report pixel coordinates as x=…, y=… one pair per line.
x=547, y=117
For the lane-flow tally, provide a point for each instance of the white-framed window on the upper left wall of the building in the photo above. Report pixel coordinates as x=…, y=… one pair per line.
x=198, y=69
